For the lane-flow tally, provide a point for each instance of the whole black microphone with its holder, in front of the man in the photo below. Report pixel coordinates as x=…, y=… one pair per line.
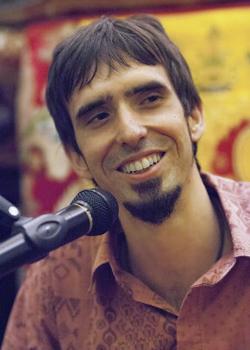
x=92, y=212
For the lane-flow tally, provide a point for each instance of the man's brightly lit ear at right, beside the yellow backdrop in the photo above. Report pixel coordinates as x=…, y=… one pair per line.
x=196, y=123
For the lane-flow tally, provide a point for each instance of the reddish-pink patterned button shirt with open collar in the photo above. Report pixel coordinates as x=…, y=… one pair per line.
x=80, y=298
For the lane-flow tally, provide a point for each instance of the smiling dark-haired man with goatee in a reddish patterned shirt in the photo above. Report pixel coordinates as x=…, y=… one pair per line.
x=173, y=272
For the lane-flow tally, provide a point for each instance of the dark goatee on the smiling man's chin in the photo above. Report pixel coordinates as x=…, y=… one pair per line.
x=156, y=207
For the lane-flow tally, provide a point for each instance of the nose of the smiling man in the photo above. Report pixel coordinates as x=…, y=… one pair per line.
x=130, y=129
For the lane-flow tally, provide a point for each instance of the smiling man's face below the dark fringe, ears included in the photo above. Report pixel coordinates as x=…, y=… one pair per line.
x=131, y=129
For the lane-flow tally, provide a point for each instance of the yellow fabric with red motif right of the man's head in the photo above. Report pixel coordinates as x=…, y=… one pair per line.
x=217, y=47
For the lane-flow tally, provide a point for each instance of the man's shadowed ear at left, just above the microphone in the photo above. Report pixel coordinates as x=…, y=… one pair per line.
x=78, y=163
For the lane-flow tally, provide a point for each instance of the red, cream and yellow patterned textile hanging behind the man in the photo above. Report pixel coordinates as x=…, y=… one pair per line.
x=216, y=46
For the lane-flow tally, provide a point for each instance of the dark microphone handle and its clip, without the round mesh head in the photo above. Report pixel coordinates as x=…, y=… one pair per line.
x=32, y=238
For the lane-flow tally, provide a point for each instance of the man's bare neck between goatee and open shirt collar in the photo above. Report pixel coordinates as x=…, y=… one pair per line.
x=171, y=256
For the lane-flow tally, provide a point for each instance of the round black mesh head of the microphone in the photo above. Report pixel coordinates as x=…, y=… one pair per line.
x=103, y=207
